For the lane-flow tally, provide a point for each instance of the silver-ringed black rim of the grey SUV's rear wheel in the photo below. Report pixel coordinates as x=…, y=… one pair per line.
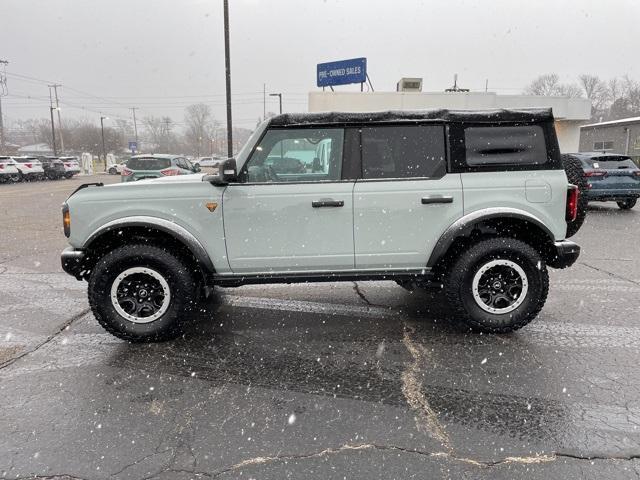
x=500, y=286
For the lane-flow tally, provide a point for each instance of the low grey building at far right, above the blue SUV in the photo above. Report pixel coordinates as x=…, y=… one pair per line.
x=617, y=136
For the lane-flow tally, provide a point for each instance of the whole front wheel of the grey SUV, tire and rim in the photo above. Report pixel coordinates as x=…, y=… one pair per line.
x=142, y=293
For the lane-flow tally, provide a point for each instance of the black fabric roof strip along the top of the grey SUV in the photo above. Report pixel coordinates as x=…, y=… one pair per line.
x=528, y=115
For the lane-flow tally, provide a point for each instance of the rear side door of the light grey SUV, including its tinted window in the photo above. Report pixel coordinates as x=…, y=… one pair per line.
x=405, y=199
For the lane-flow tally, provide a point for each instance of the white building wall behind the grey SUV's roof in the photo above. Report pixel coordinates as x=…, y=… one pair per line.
x=570, y=113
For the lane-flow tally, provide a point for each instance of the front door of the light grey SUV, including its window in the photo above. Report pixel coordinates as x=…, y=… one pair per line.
x=291, y=211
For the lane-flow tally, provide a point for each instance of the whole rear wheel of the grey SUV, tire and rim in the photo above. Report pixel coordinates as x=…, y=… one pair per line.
x=498, y=285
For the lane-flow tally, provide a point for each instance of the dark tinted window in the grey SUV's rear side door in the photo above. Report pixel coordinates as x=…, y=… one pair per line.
x=405, y=151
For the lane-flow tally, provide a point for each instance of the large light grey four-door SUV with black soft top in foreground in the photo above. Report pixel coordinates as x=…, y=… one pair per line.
x=475, y=203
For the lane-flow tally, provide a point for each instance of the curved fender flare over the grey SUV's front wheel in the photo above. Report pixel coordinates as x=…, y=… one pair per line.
x=176, y=231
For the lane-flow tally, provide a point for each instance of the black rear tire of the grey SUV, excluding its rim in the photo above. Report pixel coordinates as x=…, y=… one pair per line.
x=459, y=280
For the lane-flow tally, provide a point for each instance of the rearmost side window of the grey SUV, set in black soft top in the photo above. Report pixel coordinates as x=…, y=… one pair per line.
x=508, y=145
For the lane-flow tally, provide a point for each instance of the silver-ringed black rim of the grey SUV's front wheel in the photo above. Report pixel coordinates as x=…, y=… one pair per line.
x=140, y=295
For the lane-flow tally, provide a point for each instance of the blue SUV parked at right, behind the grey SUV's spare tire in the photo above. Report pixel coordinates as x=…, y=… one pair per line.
x=610, y=177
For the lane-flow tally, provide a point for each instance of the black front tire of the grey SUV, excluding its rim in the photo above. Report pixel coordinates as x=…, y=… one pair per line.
x=182, y=286
